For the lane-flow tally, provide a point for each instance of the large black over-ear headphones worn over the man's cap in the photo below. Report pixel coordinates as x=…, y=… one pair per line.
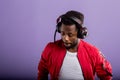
x=82, y=31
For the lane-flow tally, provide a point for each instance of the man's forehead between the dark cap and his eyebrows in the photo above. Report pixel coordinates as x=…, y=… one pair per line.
x=68, y=28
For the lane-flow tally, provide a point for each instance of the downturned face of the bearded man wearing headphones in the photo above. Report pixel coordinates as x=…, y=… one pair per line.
x=69, y=35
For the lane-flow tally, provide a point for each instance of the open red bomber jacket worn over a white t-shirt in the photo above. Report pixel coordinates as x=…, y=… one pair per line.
x=90, y=59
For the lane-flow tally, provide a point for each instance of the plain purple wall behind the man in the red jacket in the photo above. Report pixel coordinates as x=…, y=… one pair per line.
x=26, y=26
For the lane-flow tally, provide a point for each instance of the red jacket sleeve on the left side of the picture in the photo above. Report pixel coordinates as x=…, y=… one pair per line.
x=43, y=64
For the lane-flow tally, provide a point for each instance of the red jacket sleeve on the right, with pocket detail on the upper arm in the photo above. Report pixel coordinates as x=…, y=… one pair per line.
x=102, y=66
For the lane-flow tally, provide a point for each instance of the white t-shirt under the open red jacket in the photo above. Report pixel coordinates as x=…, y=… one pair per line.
x=71, y=69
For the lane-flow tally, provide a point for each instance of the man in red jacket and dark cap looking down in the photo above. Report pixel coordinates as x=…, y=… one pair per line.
x=71, y=58
